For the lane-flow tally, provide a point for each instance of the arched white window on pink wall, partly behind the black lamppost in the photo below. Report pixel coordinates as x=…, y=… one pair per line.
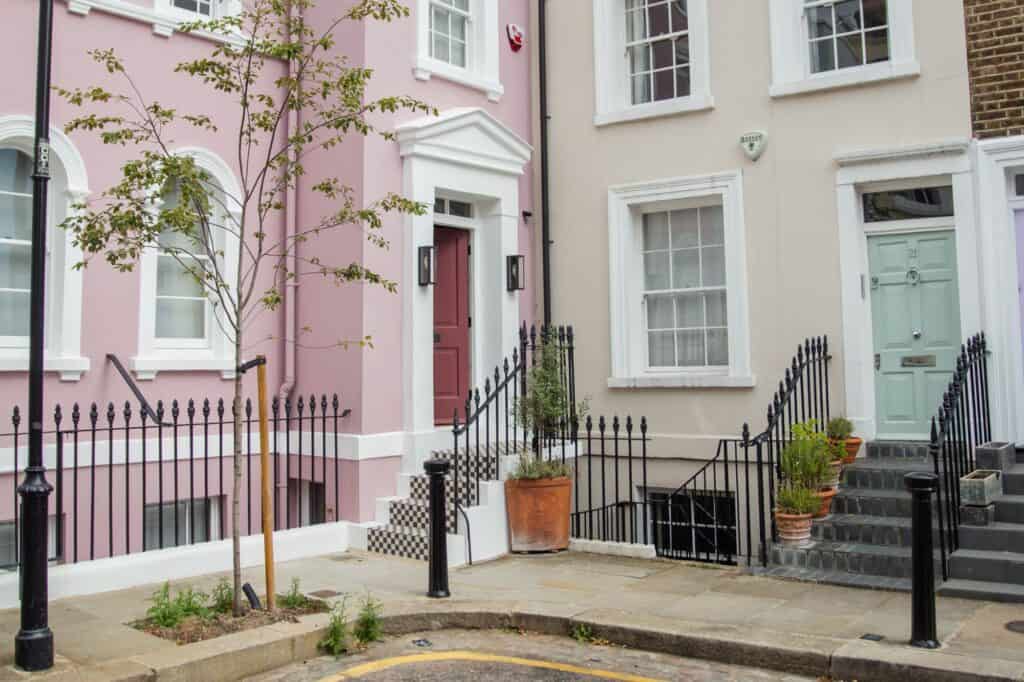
x=64, y=284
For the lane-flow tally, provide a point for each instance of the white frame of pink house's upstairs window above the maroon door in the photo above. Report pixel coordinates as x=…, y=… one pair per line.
x=483, y=39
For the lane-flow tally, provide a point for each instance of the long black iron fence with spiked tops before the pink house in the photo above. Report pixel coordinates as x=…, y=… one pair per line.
x=132, y=480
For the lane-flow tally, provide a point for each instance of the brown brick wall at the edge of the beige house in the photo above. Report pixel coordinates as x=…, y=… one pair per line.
x=996, y=61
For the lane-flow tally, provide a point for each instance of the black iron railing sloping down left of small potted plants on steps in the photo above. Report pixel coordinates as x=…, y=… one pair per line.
x=723, y=514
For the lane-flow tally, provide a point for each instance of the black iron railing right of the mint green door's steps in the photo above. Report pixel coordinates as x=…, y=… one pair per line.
x=962, y=423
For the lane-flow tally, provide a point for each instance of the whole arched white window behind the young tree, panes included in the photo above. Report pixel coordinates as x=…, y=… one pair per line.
x=182, y=324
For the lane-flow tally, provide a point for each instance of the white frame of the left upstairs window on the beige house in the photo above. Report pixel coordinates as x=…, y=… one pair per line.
x=614, y=103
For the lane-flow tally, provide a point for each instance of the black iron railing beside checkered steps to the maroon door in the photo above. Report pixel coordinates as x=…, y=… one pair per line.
x=492, y=428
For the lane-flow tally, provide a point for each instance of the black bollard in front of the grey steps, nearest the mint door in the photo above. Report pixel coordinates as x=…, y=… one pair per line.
x=923, y=628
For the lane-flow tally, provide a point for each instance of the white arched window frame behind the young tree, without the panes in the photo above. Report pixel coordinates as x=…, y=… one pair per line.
x=216, y=354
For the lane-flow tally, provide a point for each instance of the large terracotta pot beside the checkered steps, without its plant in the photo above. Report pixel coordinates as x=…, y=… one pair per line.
x=539, y=514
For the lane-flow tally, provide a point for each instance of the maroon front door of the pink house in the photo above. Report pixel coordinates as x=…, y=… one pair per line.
x=451, y=324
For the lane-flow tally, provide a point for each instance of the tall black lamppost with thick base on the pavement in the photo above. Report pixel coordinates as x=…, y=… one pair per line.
x=34, y=643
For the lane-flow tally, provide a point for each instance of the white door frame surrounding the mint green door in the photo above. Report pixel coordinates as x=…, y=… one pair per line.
x=946, y=162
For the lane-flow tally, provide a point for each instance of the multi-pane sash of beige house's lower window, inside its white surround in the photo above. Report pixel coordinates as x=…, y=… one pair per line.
x=685, y=288
